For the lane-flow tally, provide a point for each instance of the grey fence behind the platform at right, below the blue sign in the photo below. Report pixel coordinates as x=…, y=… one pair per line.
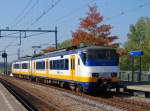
x=127, y=76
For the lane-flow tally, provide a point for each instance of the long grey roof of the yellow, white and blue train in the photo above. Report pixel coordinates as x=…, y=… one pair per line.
x=66, y=51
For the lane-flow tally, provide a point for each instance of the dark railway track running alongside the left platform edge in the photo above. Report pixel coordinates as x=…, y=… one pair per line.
x=29, y=101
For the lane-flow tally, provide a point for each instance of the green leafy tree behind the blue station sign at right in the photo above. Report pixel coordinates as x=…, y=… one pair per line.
x=138, y=39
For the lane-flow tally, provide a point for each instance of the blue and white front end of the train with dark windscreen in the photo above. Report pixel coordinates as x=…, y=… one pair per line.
x=102, y=67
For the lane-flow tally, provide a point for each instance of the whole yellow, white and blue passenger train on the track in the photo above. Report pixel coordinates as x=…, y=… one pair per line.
x=87, y=68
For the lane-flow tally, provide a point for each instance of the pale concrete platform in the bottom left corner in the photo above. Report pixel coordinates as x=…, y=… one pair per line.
x=8, y=102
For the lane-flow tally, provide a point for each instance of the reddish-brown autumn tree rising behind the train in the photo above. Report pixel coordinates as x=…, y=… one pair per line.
x=92, y=31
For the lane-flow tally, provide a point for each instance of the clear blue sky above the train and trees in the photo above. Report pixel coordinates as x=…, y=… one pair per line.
x=20, y=14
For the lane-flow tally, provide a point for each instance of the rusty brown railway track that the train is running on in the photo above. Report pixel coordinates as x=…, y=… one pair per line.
x=120, y=102
